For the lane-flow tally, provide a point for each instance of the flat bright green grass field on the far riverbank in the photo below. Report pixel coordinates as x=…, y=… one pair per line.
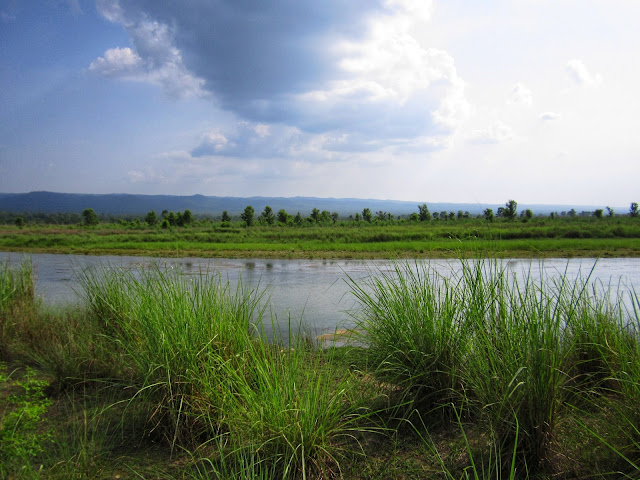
x=538, y=237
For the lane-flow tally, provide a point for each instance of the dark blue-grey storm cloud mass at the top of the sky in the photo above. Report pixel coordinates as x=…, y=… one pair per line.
x=251, y=53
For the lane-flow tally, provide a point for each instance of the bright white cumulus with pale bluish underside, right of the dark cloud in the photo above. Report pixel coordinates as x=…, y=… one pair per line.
x=388, y=74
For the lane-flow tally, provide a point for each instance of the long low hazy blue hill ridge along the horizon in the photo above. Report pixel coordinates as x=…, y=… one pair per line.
x=128, y=204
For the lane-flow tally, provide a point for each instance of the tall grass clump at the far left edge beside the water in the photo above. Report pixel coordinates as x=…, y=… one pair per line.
x=17, y=285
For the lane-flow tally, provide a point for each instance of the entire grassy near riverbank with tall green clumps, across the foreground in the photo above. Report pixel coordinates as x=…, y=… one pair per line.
x=474, y=375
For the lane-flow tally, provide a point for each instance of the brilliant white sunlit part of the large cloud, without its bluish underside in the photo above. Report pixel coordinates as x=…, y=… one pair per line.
x=392, y=68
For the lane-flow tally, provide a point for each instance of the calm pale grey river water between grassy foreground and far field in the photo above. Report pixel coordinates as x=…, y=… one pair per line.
x=313, y=291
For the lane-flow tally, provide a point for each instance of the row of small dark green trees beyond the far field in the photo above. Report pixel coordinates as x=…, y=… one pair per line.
x=248, y=218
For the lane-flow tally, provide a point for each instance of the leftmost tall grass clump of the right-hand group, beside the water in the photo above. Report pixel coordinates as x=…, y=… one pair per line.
x=415, y=333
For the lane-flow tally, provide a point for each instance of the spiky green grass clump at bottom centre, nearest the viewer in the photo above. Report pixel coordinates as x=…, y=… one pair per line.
x=295, y=415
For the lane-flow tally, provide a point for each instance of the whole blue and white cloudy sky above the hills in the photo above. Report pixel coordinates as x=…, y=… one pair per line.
x=428, y=101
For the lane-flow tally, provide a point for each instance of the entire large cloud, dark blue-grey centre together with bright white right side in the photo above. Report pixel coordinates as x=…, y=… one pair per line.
x=349, y=70
